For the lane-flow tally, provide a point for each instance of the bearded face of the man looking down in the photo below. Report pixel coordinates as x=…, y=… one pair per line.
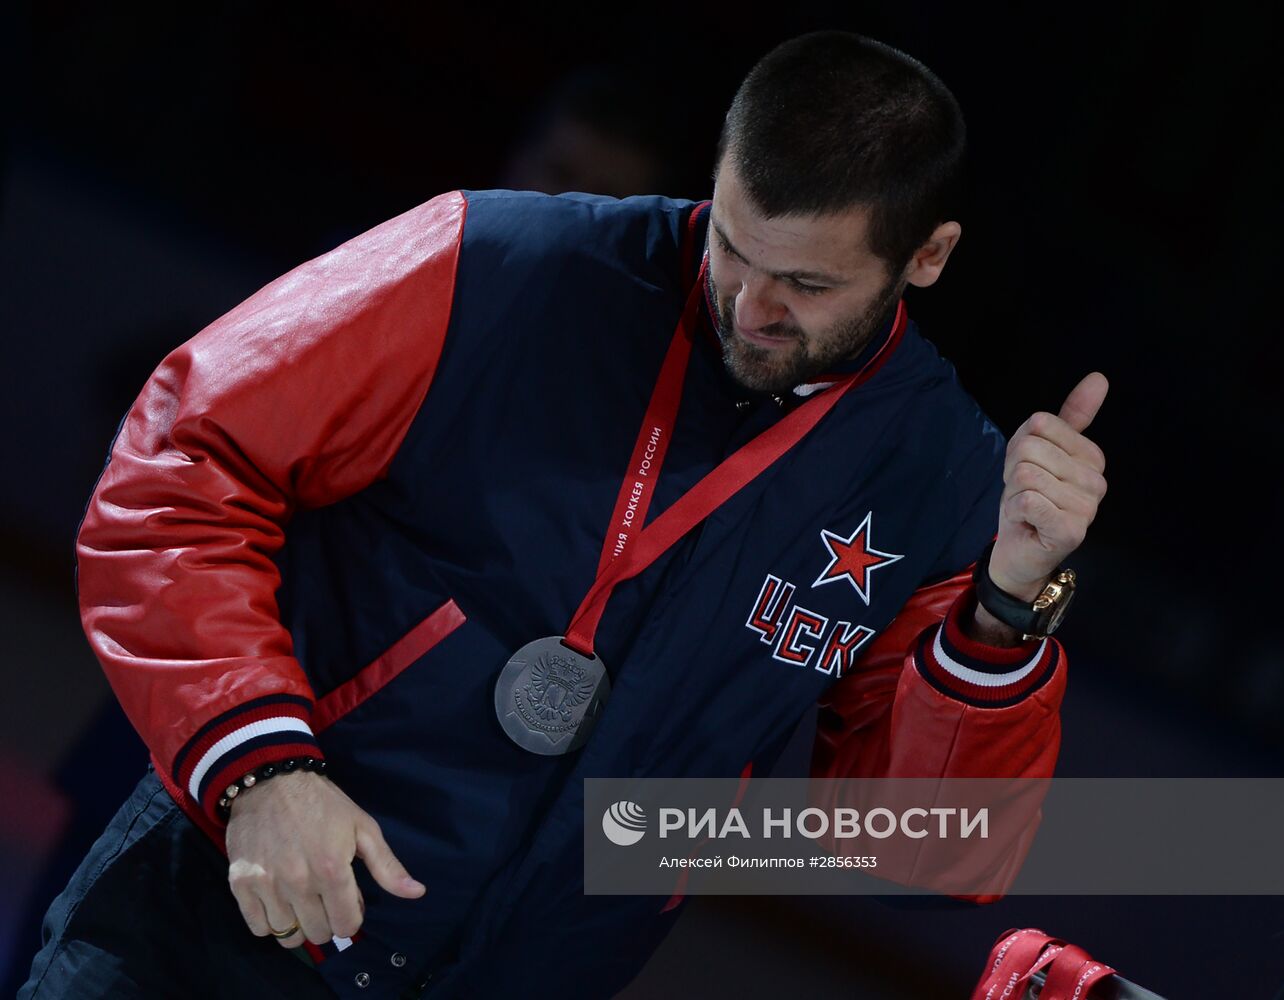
x=795, y=295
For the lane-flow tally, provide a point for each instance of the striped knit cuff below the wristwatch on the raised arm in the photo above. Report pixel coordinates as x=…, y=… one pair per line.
x=989, y=677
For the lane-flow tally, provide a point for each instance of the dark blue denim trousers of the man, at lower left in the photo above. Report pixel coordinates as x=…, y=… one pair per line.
x=150, y=915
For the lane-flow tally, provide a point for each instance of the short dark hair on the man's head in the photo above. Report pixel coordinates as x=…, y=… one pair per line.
x=833, y=120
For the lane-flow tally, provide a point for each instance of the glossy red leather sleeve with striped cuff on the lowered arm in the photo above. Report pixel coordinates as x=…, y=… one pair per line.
x=297, y=399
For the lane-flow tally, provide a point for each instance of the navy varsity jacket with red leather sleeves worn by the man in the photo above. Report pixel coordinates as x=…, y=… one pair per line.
x=333, y=515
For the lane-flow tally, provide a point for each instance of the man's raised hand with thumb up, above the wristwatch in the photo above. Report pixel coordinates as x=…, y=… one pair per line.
x=1054, y=483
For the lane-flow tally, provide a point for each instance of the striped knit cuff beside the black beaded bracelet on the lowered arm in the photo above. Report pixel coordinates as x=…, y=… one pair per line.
x=264, y=731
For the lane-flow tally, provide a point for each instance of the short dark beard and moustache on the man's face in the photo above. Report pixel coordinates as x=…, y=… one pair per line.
x=779, y=370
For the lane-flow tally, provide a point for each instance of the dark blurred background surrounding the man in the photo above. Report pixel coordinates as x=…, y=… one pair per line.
x=1123, y=215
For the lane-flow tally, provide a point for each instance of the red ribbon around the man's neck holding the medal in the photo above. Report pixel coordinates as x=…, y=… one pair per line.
x=630, y=549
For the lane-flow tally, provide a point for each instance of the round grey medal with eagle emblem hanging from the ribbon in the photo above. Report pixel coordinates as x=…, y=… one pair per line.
x=549, y=696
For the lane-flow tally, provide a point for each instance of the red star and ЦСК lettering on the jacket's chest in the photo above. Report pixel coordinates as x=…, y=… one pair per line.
x=799, y=636
